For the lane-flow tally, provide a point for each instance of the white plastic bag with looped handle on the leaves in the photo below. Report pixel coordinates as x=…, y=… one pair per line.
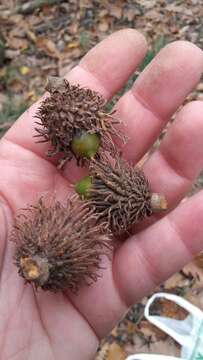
x=188, y=332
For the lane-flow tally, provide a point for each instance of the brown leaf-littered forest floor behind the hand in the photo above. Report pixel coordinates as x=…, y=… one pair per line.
x=48, y=37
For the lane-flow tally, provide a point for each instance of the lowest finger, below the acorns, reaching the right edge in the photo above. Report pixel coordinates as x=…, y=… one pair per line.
x=159, y=251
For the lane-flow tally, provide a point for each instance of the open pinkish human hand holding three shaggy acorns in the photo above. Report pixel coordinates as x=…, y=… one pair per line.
x=66, y=326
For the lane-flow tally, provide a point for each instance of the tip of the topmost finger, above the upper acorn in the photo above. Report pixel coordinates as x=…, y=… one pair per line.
x=111, y=62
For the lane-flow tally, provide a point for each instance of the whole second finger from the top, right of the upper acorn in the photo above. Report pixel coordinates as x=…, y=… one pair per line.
x=157, y=93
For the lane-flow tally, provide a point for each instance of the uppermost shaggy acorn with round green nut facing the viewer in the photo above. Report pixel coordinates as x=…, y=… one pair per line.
x=73, y=119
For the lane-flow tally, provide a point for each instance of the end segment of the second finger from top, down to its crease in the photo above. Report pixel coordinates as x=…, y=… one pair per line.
x=167, y=81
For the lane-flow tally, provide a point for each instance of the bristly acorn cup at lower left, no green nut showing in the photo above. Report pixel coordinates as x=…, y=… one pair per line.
x=59, y=247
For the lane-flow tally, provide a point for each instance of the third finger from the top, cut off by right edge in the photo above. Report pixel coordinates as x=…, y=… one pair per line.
x=175, y=165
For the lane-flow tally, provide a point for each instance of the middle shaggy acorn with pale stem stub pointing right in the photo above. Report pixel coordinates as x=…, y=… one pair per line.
x=120, y=194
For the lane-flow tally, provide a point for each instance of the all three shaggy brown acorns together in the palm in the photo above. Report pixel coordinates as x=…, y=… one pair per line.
x=61, y=246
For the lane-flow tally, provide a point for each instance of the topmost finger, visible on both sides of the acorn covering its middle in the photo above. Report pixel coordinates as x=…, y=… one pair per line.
x=104, y=69
